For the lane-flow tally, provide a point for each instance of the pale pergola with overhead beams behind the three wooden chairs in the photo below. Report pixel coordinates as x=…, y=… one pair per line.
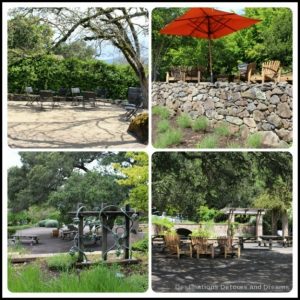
x=258, y=212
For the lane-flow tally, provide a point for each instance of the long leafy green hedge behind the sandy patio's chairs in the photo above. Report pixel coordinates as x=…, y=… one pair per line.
x=53, y=72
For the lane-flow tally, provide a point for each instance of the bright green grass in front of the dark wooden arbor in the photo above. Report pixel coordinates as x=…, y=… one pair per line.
x=31, y=278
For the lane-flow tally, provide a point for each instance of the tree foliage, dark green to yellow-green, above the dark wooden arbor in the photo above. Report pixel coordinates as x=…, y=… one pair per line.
x=64, y=179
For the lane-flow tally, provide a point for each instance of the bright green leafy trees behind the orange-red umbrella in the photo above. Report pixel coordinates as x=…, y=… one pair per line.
x=270, y=39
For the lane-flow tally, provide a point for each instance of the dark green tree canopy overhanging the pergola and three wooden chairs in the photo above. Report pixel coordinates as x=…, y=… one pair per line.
x=184, y=181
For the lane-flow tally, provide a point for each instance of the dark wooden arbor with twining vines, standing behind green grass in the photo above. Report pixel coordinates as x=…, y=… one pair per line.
x=107, y=215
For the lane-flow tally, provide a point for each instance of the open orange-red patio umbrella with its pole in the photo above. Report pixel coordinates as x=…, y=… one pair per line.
x=207, y=23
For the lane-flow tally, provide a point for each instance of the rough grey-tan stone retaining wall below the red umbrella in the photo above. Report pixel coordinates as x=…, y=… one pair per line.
x=247, y=108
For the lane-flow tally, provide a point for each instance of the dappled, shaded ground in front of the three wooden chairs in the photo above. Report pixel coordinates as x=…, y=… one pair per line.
x=258, y=270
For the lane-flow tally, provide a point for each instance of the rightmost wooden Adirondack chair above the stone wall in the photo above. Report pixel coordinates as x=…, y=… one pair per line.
x=270, y=72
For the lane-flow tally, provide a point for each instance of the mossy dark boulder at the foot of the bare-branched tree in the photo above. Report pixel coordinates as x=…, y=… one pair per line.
x=138, y=127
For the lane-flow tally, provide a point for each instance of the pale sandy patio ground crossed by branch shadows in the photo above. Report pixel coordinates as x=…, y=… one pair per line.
x=67, y=126
